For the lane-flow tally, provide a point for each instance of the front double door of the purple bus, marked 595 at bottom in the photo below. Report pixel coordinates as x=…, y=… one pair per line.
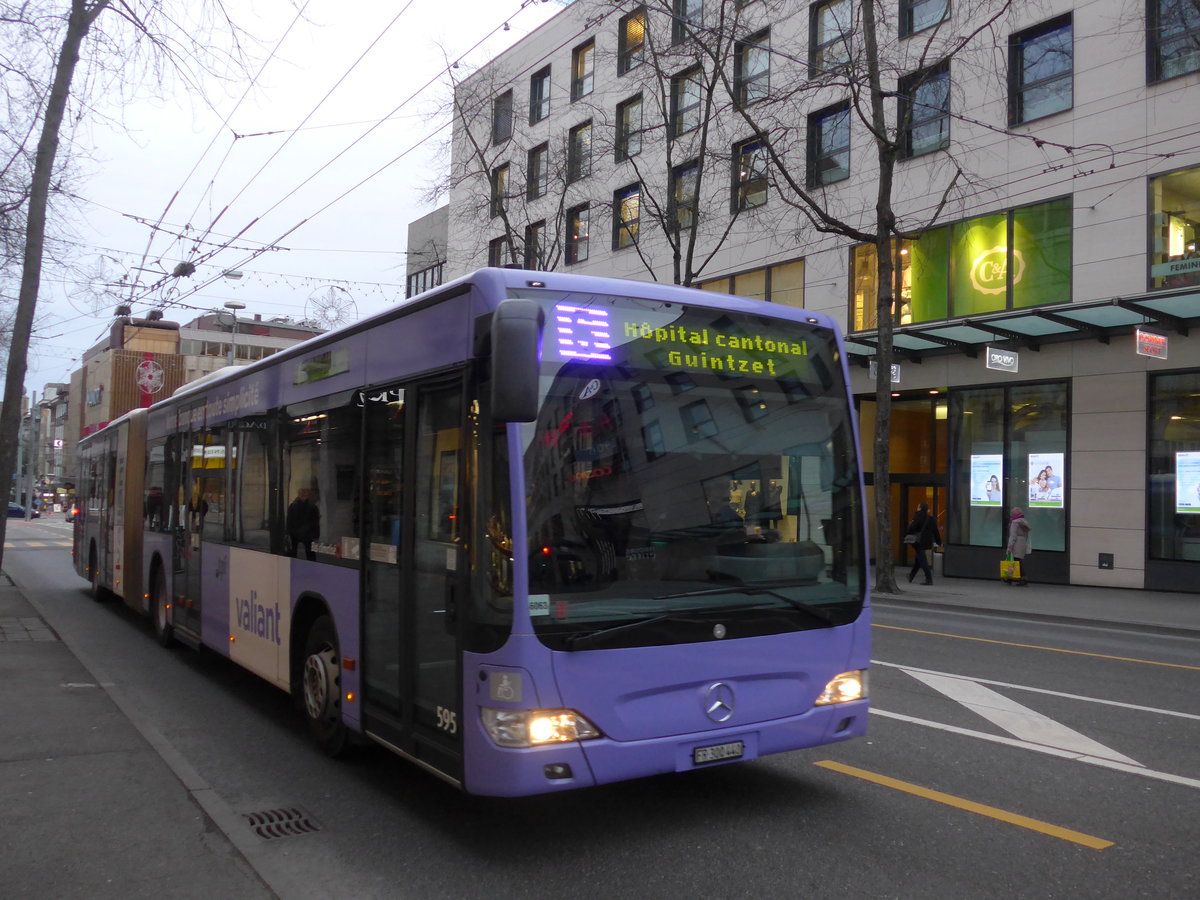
x=415, y=562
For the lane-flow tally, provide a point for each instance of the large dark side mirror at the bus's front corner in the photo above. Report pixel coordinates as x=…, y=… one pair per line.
x=517, y=358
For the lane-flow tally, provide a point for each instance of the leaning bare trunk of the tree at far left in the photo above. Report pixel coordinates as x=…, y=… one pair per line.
x=80, y=22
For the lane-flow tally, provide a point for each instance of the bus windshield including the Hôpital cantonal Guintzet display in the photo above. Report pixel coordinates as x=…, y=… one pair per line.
x=692, y=477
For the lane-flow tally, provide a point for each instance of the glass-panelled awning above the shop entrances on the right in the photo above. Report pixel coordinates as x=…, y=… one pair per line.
x=1030, y=328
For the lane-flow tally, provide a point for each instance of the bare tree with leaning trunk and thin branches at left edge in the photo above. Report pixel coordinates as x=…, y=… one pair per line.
x=137, y=33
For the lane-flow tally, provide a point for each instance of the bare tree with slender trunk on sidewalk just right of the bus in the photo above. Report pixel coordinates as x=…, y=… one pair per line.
x=898, y=92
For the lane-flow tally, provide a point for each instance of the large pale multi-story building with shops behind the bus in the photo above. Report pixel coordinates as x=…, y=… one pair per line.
x=1047, y=196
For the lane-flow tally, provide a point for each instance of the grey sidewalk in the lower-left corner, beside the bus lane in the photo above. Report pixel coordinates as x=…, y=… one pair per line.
x=89, y=806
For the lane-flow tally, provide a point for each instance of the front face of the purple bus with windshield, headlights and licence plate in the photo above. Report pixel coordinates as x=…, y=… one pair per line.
x=691, y=547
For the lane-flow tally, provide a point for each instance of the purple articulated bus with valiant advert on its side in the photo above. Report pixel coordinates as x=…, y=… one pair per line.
x=530, y=531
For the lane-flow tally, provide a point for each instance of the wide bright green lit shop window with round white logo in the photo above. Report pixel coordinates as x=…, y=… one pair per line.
x=1006, y=261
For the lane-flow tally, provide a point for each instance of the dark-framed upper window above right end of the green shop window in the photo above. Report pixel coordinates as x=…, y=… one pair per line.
x=1040, y=73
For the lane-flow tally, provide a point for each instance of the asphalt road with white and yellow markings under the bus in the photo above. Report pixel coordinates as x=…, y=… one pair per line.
x=1006, y=758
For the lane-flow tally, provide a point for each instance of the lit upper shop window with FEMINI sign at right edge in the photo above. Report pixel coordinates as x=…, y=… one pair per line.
x=1175, y=230
